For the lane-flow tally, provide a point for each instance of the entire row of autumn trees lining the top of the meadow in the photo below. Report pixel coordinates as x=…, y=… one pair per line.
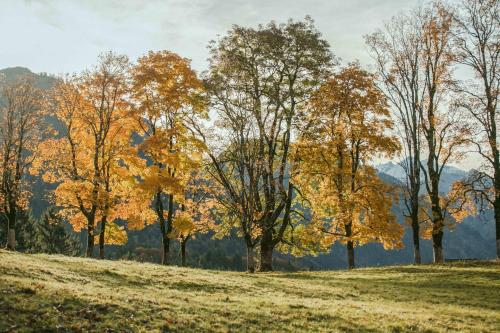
x=274, y=141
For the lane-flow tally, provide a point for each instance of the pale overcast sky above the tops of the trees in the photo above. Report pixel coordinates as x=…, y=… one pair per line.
x=67, y=35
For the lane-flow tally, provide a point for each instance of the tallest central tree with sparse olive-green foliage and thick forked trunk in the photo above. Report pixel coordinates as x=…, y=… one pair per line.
x=258, y=81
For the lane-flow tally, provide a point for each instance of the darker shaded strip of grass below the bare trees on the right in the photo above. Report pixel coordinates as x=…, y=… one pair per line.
x=436, y=284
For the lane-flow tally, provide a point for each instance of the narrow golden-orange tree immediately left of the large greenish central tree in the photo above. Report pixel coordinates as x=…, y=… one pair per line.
x=168, y=99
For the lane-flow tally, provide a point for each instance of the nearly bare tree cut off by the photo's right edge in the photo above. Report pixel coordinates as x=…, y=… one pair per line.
x=477, y=46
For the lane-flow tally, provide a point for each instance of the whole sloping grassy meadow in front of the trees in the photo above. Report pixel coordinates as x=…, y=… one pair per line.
x=44, y=293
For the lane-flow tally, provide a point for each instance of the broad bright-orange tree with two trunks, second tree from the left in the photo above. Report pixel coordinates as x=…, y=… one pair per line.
x=92, y=154
